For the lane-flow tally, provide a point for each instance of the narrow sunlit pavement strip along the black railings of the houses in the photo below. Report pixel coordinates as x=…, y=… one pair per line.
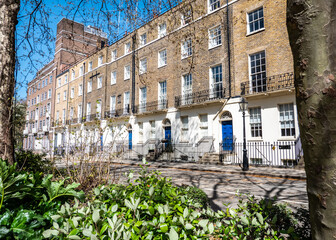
x=275, y=172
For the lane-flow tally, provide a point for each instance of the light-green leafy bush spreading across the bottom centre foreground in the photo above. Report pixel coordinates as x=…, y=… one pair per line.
x=153, y=208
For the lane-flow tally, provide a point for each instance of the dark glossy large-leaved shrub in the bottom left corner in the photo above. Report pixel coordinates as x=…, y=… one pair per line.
x=28, y=200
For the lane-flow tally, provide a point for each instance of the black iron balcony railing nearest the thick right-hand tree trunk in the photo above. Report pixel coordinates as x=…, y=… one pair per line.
x=268, y=84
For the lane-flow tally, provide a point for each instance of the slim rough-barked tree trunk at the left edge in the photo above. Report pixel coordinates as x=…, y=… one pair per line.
x=8, y=19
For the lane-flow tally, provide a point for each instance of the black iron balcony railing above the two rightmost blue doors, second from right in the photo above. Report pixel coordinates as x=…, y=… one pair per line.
x=216, y=92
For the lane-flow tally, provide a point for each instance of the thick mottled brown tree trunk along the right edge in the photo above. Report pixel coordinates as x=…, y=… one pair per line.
x=312, y=32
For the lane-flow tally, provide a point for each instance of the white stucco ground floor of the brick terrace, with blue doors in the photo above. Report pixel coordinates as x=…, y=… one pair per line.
x=190, y=132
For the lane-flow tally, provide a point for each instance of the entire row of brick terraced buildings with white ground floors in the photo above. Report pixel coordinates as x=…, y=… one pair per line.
x=171, y=88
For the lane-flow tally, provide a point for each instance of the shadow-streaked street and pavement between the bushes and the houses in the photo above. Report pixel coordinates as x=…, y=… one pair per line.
x=221, y=182
